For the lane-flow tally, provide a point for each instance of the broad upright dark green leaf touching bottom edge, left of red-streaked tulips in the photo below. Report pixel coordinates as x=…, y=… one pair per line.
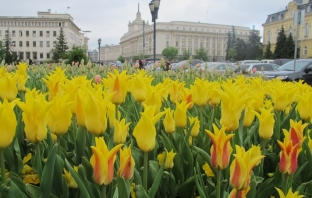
x=48, y=173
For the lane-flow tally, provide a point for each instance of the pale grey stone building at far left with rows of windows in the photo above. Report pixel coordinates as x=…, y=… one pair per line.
x=34, y=37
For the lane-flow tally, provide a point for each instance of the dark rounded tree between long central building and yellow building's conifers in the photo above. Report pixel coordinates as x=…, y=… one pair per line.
x=254, y=46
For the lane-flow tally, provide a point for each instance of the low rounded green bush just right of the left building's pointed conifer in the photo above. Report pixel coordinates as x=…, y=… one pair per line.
x=76, y=54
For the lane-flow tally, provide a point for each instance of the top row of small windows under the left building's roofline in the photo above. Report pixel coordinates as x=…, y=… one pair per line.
x=33, y=23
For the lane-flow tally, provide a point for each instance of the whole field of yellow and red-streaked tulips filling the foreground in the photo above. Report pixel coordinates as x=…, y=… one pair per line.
x=95, y=131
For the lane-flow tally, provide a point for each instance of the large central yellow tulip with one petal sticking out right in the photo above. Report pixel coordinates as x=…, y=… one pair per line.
x=145, y=132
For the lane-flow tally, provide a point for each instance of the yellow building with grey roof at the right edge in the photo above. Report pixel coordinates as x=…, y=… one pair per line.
x=285, y=19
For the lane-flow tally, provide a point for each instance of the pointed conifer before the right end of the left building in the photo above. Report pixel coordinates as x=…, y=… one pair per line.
x=60, y=47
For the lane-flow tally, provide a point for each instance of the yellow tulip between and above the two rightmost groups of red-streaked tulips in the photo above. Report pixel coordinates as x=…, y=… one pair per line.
x=266, y=119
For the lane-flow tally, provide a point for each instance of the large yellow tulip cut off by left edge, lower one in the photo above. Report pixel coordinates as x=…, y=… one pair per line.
x=8, y=123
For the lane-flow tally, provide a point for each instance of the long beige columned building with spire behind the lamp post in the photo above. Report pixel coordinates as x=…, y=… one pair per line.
x=179, y=34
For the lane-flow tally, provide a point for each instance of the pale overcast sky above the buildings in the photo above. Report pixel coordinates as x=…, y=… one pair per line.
x=108, y=19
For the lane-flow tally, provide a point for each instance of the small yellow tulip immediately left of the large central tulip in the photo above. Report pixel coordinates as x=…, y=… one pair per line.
x=121, y=131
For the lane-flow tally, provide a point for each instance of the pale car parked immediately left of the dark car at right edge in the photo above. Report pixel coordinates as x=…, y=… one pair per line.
x=254, y=68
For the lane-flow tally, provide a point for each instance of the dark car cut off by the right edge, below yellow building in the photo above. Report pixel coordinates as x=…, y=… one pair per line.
x=289, y=72
